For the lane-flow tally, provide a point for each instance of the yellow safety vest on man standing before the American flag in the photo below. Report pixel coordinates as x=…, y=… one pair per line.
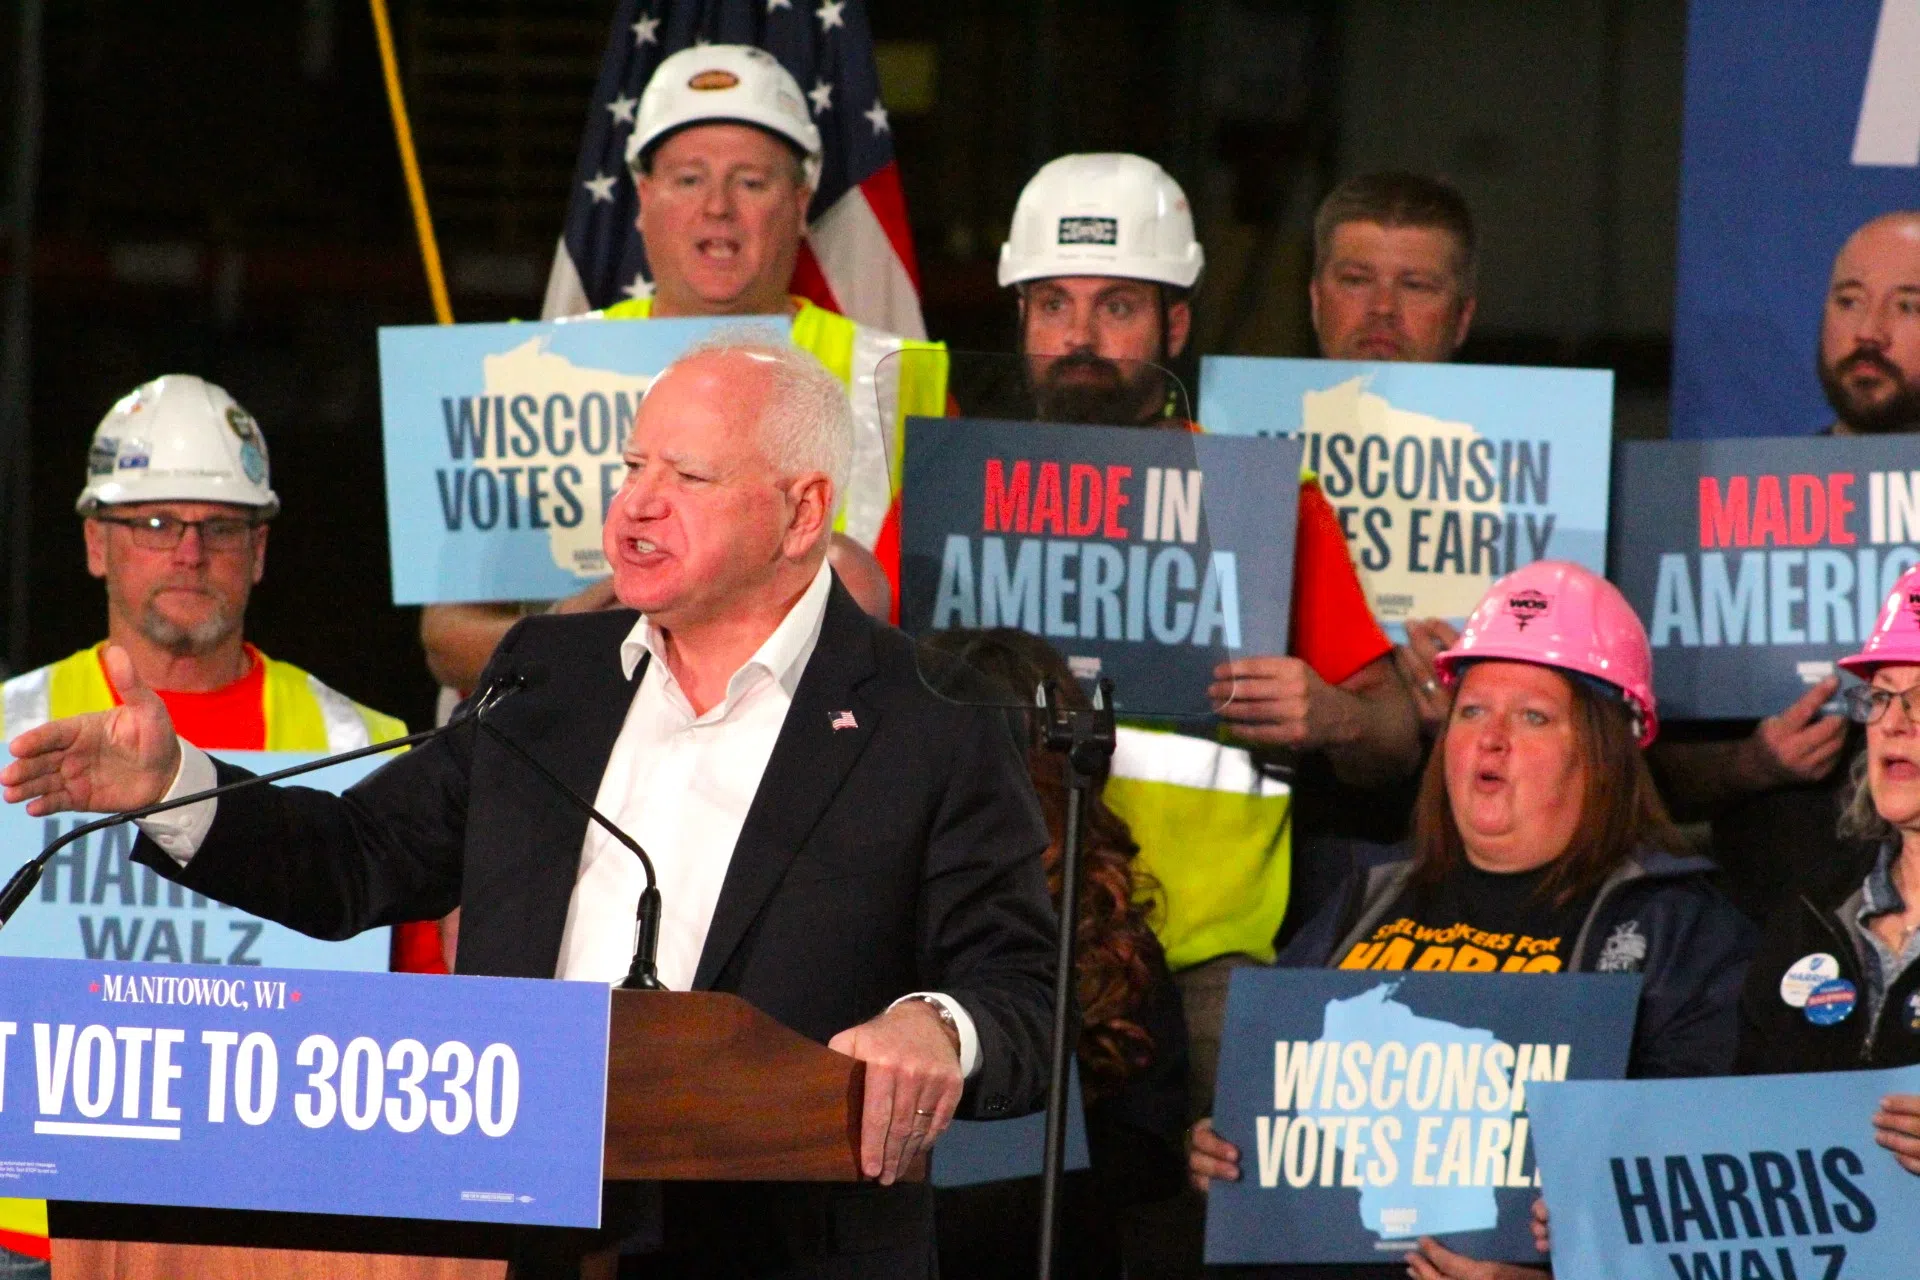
x=884, y=394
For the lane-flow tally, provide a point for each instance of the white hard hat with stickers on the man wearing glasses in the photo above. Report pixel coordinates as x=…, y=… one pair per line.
x=178, y=440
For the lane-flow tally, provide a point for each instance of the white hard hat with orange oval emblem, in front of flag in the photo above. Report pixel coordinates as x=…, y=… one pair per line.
x=725, y=83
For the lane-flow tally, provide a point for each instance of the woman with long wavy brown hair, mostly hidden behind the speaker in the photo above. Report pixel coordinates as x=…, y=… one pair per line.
x=1134, y=1041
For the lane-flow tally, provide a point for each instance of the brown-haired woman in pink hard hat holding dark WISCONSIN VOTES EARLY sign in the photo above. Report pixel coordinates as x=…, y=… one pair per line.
x=1541, y=847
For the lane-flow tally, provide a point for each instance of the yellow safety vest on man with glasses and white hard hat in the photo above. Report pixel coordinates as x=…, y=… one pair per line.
x=302, y=715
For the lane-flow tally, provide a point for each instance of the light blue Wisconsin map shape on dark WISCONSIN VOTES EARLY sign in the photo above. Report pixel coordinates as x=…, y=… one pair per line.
x=1437, y=1210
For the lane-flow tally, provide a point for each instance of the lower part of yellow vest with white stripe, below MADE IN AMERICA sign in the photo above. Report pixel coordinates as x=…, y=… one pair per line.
x=1216, y=838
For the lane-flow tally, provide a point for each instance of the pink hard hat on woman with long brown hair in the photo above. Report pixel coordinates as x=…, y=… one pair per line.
x=1566, y=617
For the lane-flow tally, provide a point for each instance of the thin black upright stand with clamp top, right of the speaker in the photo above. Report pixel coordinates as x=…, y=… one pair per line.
x=1086, y=742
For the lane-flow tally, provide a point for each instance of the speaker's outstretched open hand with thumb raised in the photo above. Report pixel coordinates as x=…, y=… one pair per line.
x=99, y=763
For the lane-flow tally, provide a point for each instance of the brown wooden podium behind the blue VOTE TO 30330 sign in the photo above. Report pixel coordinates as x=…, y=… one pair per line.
x=700, y=1087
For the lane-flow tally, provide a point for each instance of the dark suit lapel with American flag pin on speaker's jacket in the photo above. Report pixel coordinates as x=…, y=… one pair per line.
x=811, y=759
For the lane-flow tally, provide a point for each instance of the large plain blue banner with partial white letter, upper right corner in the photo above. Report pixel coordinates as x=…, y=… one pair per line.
x=1802, y=124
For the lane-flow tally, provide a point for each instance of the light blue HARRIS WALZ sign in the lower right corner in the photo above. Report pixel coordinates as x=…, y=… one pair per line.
x=1750, y=1179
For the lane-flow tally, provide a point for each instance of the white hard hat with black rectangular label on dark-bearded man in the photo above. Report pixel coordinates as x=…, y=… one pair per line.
x=1103, y=216
